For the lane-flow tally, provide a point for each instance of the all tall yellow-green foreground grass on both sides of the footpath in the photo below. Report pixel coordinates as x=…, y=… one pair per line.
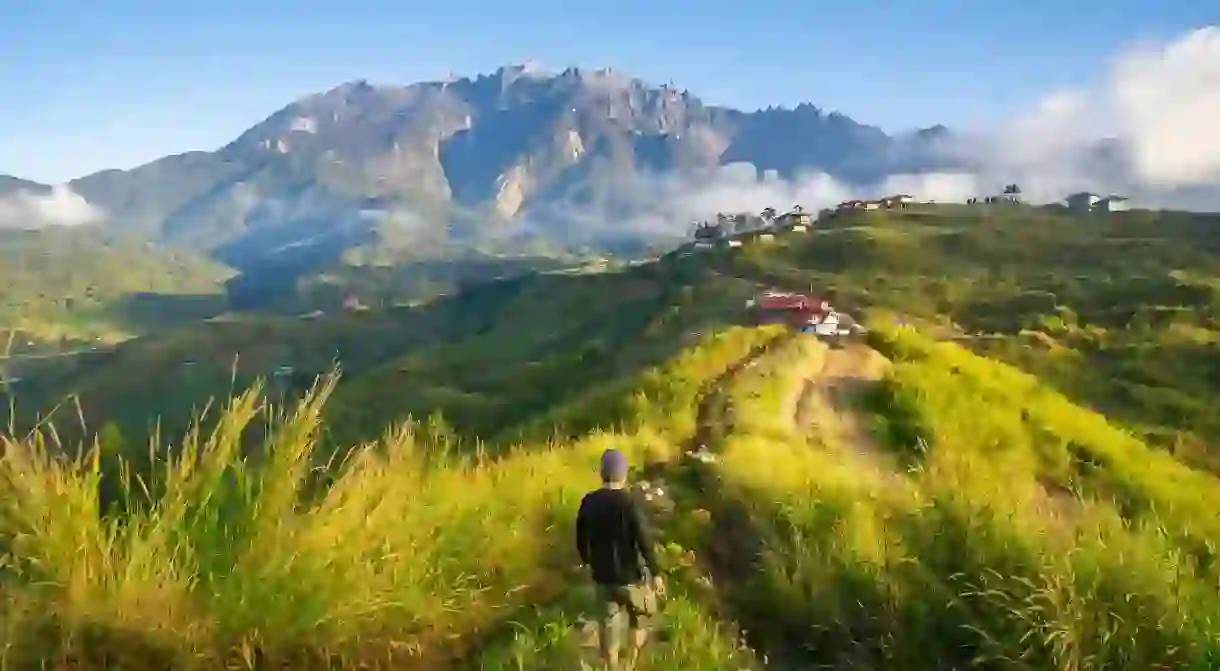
x=1001, y=528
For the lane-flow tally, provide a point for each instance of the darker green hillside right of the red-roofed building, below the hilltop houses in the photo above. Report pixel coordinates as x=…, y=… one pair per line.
x=1118, y=312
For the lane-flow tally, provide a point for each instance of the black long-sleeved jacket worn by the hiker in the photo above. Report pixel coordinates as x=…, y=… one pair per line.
x=612, y=537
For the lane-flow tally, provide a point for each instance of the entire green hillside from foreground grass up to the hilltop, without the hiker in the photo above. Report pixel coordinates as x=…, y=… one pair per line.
x=992, y=481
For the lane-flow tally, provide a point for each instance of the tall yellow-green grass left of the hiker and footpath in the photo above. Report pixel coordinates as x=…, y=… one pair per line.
x=412, y=552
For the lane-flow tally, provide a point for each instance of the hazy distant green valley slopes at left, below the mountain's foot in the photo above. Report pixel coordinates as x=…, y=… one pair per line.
x=70, y=286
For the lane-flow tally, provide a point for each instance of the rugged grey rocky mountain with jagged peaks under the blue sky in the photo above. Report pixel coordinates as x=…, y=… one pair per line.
x=429, y=170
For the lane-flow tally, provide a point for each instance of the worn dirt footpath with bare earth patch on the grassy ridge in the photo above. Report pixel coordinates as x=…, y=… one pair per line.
x=817, y=400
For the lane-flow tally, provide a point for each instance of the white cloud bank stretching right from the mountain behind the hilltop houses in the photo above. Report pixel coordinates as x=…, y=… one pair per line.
x=1151, y=131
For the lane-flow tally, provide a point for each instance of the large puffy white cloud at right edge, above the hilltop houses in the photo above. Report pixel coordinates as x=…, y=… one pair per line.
x=1150, y=130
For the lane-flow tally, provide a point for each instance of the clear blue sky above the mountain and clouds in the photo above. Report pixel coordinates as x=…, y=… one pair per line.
x=117, y=84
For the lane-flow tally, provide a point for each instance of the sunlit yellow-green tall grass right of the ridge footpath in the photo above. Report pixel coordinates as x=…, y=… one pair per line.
x=957, y=563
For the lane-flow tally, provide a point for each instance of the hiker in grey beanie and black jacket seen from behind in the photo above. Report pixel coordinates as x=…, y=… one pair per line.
x=612, y=539
